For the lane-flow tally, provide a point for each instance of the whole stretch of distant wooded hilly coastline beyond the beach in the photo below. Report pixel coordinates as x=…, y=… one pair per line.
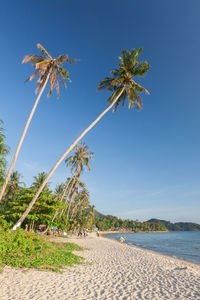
x=113, y=223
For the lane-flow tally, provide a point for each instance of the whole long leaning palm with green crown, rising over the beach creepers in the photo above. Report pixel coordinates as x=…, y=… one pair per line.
x=122, y=84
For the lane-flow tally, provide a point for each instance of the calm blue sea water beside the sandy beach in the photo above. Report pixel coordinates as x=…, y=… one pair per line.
x=180, y=244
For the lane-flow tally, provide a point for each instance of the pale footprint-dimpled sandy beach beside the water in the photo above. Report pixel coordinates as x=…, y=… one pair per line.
x=115, y=271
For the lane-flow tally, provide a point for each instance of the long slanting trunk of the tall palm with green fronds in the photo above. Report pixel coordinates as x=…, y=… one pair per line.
x=19, y=222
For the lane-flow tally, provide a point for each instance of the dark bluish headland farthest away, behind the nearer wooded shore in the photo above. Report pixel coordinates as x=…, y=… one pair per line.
x=179, y=226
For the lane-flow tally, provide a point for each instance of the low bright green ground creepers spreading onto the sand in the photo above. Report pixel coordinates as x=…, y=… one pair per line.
x=25, y=249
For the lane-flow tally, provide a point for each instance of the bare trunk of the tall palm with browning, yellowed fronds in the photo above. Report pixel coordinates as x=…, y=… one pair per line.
x=22, y=139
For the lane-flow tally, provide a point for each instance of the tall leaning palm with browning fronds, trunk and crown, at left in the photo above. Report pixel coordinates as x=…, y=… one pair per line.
x=46, y=68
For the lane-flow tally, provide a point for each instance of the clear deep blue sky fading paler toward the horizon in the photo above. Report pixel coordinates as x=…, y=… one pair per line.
x=146, y=164
